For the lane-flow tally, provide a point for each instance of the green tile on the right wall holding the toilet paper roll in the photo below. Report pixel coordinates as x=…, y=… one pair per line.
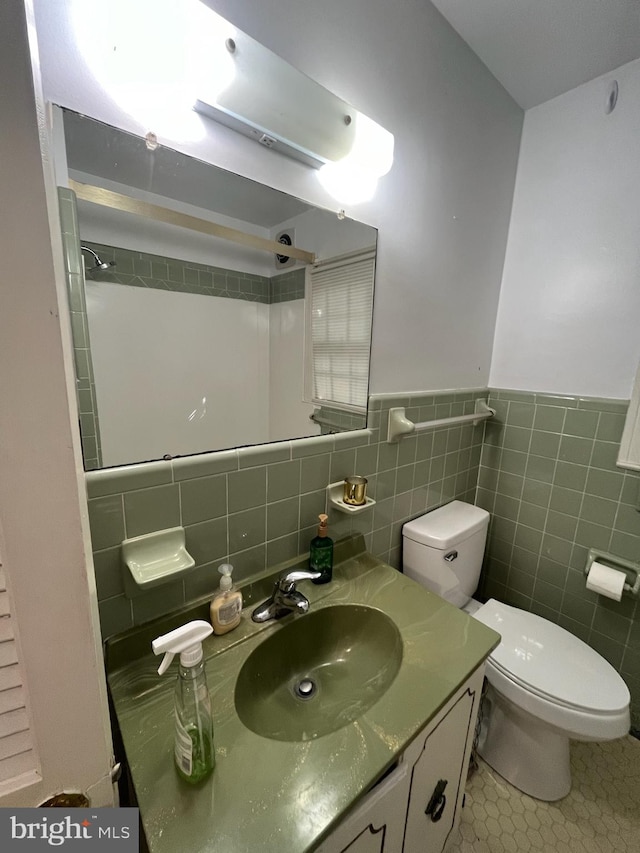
x=548, y=477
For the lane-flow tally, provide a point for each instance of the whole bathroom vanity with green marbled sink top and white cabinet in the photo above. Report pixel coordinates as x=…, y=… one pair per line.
x=378, y=764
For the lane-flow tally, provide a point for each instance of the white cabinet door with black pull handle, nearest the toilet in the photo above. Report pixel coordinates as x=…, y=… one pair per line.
x=438, y=778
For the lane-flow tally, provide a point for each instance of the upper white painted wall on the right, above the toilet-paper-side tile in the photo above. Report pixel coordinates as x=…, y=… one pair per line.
x=570, y=302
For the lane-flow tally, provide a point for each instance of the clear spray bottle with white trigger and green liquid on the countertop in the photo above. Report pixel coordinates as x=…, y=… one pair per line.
x=193, y=729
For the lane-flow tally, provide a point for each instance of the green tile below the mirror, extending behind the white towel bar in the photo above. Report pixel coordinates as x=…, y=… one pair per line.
x=258, y=506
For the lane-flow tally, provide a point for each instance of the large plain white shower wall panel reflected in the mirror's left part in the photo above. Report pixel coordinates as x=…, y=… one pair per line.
x=177, y=387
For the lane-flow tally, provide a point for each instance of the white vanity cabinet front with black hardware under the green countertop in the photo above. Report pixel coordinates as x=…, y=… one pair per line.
x=416, y=807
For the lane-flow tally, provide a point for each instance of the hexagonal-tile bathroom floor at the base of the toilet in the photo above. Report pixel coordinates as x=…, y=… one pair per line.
x=601, y=814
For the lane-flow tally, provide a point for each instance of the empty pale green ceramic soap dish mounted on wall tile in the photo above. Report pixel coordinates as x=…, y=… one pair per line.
x=156, y=558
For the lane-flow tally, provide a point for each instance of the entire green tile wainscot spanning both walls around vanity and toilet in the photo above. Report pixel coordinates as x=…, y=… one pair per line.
x=544, y=467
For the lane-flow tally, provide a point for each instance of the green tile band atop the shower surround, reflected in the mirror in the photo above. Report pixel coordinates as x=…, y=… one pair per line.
x=141, y=269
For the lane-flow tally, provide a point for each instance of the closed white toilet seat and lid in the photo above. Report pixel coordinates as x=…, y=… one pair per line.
x=553, y=675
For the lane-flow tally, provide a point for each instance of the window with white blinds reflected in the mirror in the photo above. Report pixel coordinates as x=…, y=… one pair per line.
x=339, y=312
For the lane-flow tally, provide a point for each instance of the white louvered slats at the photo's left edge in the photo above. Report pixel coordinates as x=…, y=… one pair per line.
x=17, y=755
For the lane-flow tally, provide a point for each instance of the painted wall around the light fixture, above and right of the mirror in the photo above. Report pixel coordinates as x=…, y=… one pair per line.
x=442, y=211
